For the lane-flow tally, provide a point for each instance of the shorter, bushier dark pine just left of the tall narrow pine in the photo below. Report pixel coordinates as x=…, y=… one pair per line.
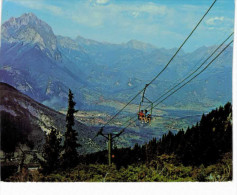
x=51, y=152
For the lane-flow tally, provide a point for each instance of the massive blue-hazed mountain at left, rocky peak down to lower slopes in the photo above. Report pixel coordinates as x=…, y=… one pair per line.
x=31, y=61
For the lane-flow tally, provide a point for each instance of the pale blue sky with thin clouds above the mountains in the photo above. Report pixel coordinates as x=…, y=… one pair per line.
x=163, y=23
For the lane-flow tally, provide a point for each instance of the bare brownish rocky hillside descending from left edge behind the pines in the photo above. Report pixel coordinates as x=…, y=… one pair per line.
x=41, y=117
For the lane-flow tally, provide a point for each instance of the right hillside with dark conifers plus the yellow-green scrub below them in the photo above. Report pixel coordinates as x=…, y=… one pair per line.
x=200, y=153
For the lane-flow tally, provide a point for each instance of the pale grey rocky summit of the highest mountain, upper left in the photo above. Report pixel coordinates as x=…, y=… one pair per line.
x=28, y=29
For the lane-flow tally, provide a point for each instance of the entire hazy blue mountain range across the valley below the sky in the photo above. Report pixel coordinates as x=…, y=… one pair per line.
x=43, y=65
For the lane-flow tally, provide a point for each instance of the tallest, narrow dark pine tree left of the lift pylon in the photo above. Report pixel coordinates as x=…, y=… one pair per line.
x=70, y=155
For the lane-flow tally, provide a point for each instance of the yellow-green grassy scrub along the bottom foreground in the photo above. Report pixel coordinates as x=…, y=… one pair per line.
x=161, y=170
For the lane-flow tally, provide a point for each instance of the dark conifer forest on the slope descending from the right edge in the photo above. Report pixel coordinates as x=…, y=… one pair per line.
x=203, y=143
